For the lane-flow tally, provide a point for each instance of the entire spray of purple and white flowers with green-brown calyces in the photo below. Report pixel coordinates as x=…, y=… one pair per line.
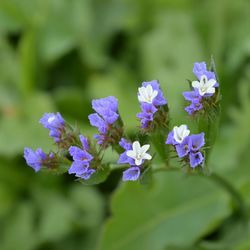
x=83, y=157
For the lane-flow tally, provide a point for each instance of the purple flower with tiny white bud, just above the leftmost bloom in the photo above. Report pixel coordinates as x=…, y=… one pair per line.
x=54, y=123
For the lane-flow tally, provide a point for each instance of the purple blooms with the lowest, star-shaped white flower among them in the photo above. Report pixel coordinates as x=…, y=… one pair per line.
x=134, y=155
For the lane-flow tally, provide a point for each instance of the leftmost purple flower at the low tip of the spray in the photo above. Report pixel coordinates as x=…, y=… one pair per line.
x=36, y=159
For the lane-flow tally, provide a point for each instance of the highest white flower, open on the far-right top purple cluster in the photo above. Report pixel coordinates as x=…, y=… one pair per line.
x=204, y=86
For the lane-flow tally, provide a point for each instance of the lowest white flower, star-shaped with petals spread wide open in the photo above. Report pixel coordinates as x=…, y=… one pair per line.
x=139, y=153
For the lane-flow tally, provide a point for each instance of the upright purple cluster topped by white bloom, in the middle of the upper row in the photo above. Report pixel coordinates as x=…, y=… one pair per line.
x=151, y=99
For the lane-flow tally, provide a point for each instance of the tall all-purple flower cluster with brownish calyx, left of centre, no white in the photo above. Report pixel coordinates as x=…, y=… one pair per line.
x=106, y=120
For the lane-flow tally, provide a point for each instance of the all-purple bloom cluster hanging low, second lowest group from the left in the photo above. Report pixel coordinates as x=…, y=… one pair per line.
x=81, y=160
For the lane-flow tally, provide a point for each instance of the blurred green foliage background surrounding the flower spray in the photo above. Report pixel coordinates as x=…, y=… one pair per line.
x=57, y=55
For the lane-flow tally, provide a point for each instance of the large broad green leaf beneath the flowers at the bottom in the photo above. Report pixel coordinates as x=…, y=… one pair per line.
x=177, y=211
